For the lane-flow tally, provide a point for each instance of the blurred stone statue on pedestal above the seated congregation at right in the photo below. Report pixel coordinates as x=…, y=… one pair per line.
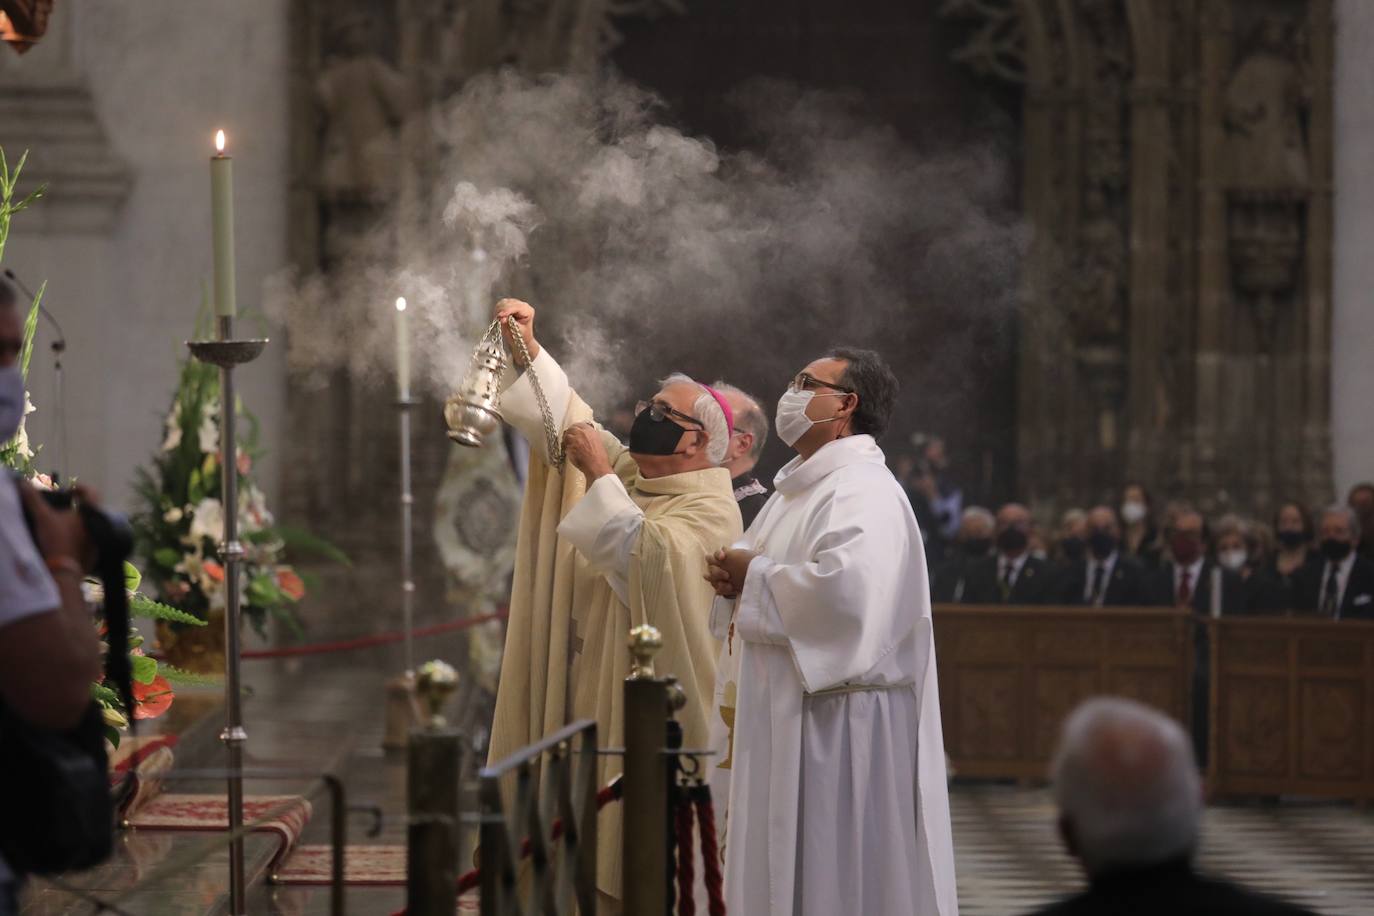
x=1266, y=104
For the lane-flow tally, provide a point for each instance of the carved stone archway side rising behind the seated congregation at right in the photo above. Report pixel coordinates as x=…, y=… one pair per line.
x=1178, y=183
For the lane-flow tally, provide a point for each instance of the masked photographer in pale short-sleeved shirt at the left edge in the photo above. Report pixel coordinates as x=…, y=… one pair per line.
x=50, y=653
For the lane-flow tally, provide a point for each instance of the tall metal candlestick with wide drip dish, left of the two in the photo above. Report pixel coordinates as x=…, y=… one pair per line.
x=227, y=354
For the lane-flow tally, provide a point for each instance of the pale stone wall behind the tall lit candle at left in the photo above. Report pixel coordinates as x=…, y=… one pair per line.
x=119, y=106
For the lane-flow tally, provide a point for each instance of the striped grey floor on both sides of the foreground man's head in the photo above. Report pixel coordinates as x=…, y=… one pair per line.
x=1009, y=859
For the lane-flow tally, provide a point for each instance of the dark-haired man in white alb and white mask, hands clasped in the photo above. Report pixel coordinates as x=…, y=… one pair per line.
x=837, y=777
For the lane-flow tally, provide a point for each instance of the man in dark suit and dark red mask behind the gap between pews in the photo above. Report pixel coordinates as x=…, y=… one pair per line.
x=1196, y=582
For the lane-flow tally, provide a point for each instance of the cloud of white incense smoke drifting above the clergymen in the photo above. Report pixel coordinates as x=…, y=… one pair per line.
x=646, y=251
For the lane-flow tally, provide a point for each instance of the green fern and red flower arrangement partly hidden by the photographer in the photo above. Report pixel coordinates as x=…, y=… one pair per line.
x=153, y=691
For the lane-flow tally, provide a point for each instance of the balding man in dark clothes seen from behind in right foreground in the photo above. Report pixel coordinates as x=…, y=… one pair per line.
x=1130, y=804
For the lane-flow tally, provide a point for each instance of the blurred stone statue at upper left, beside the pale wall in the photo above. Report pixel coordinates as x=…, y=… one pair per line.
x=363, y=101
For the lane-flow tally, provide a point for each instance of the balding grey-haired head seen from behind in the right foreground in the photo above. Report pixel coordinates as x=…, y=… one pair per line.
x=1127, y=783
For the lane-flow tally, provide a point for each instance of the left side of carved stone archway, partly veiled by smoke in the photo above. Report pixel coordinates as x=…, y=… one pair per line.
x=363, y=76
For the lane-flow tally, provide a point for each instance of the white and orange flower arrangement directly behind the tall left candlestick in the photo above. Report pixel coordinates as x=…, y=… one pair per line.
x=181, y=521
